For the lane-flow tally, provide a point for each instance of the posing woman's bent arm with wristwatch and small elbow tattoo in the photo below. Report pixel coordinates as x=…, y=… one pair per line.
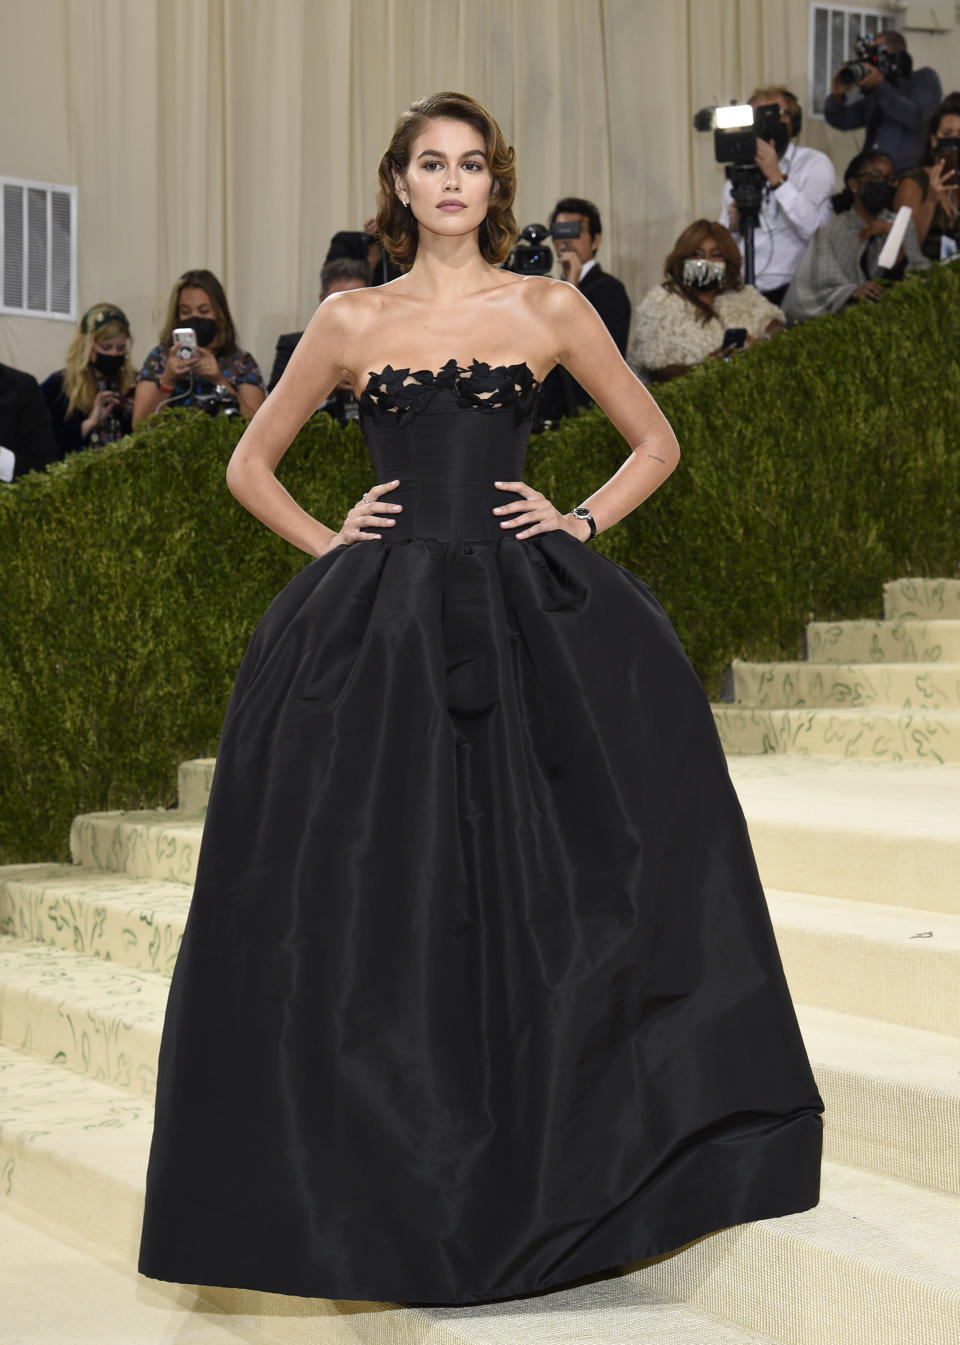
x=588, y=352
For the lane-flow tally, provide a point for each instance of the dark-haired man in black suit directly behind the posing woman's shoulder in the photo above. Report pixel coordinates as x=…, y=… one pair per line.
x=561, y=393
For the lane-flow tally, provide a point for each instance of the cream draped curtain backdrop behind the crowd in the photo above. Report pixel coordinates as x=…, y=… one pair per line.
x=241, y=135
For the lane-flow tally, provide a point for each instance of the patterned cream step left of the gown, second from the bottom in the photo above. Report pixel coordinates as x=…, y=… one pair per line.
x=92, y=1016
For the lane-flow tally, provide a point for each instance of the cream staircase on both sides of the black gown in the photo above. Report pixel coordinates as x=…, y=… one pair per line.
x=861, y=860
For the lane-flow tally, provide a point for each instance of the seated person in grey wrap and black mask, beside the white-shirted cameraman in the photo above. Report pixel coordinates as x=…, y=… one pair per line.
x=842, y=262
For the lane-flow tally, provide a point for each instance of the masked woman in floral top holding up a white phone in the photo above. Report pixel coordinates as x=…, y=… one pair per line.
x=198, y=301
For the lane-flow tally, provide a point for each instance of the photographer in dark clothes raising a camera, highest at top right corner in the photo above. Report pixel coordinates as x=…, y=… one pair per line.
x=881, y=91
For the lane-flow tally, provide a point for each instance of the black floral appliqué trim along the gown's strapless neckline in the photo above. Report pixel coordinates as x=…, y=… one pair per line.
x=485, y=388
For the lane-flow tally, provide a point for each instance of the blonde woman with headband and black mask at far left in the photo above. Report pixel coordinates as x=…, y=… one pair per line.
x=91, y=400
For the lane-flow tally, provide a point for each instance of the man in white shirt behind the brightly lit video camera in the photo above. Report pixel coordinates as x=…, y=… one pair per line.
x=797, y=198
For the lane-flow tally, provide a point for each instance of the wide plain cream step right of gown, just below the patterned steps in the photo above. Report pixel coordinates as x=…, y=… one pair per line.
x=861, y=831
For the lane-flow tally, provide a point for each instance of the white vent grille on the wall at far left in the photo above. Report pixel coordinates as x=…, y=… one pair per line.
x=38, y=245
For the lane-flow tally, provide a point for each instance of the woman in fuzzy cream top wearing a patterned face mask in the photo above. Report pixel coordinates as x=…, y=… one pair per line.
x=684, y=321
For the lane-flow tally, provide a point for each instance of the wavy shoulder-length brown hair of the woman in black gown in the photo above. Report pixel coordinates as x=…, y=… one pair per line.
x=397, y=227
